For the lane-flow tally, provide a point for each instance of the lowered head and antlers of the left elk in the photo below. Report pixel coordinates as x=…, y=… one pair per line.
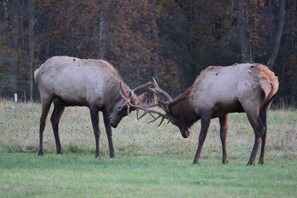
x=122, y=108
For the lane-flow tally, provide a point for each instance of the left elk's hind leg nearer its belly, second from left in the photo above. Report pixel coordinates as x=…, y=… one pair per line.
x=55, y=119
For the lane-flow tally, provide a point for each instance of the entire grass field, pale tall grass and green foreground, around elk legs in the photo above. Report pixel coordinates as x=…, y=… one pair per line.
x=150, y=161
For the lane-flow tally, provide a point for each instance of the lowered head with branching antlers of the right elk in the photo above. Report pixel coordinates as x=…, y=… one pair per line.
x=166, y=106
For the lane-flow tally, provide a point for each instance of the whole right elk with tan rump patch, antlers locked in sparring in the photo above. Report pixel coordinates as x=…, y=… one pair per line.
x=216, y=92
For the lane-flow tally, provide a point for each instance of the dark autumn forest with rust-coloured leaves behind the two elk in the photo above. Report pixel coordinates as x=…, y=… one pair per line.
x=172, y=40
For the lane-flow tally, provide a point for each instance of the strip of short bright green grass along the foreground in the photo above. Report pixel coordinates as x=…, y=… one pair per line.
x=80, y=175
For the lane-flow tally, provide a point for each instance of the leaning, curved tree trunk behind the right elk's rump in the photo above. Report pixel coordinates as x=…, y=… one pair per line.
x=278, y=36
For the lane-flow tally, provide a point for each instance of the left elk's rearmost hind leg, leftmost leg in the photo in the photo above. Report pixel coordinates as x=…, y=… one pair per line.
x=46, y=104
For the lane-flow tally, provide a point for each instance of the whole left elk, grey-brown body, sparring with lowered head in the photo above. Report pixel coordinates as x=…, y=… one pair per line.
x=69, y=81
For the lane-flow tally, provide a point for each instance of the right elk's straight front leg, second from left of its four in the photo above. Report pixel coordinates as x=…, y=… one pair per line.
x=223, y=134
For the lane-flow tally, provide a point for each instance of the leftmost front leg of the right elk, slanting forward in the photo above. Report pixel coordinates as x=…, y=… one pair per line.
x=203, y=131
